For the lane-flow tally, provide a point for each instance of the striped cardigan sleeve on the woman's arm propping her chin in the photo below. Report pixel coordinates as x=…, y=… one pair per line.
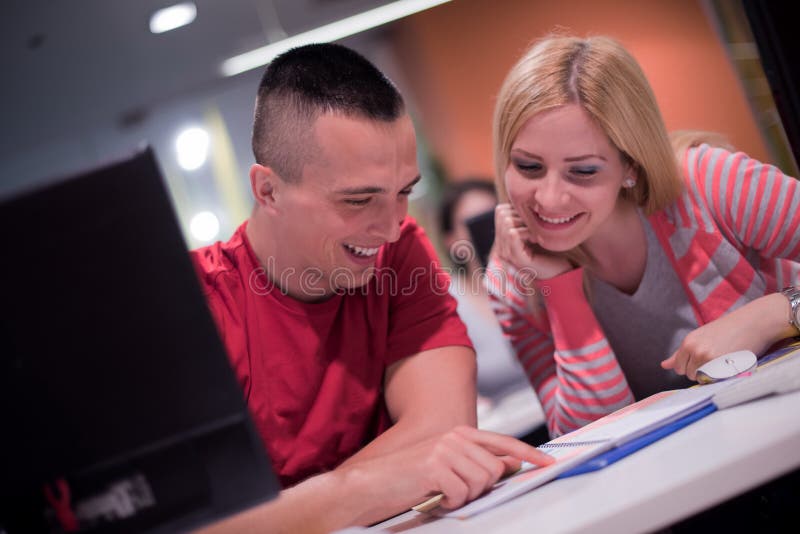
x=562, y=349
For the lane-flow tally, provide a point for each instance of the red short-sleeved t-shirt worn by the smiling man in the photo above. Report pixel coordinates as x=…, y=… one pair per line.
x=312, y=373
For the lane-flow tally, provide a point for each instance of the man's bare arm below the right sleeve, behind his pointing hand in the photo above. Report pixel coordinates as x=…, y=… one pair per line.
x=426, y=394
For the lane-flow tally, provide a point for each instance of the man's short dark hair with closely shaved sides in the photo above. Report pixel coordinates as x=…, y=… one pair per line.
x=305, y=82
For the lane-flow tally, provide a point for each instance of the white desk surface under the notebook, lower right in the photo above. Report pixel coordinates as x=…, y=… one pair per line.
x=708, y=462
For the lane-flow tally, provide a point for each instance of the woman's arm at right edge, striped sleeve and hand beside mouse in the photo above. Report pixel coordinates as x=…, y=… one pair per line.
x=757, y=209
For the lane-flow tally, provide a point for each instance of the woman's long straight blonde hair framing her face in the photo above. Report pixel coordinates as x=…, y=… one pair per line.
x=600, y=75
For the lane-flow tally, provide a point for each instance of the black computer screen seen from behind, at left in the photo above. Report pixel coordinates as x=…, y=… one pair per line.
x=120, y=412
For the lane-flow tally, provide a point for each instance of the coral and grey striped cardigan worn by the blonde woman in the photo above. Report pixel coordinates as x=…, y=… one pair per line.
x=733, y=236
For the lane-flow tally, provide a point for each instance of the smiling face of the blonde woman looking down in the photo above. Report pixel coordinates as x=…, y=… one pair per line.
x=564, y=177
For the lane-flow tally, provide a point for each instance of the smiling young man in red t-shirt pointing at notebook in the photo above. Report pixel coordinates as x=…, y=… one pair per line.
x=334, y=310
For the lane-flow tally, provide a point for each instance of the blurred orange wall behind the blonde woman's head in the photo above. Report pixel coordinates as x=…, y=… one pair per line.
x=457, y=55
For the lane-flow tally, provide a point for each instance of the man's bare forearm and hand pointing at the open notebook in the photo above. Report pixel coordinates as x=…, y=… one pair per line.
x=460, y=464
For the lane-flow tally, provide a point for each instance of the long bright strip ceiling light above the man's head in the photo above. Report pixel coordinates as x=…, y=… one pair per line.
x=330, y=32
